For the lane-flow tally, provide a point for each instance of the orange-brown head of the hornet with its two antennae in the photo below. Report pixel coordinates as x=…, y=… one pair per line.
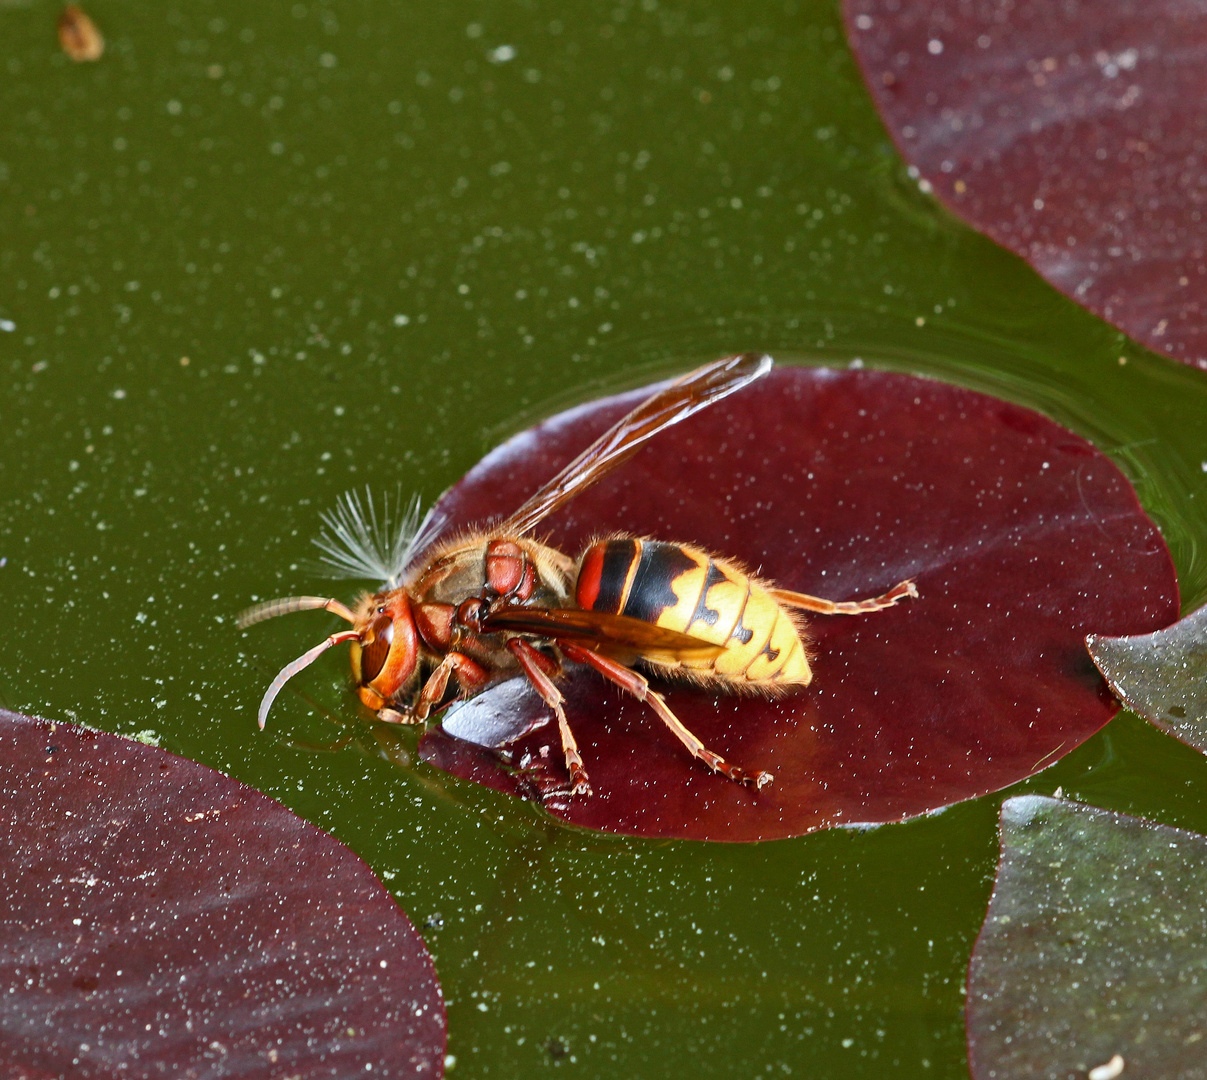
x=386, y=644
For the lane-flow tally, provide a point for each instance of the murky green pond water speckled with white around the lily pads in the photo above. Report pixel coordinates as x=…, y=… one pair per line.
x=261, y=254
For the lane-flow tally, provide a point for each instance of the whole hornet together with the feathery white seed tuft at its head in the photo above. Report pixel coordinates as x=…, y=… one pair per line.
x=494, y=604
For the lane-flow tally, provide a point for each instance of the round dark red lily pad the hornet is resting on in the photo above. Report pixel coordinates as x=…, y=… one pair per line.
x=1022, y=536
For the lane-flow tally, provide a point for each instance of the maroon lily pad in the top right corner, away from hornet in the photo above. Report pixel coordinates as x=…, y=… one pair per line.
x=1070, y=133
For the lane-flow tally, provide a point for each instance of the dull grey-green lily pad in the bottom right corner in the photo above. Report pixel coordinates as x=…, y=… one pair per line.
x=1093, y=959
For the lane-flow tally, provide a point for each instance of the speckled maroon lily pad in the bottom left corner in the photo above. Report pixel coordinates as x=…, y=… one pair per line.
x=160, y=919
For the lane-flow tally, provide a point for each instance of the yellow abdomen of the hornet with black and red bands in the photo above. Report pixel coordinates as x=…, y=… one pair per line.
x=690, y=591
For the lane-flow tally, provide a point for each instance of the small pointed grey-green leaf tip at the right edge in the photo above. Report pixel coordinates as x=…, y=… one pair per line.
x=1162, y=676
